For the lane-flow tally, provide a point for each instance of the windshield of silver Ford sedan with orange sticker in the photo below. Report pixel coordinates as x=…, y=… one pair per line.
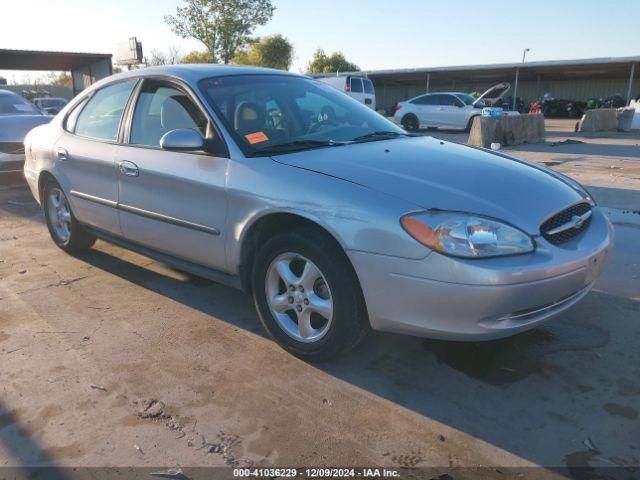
x=264, y=112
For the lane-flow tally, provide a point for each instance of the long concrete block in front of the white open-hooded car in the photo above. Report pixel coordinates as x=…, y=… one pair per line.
x=507, y=130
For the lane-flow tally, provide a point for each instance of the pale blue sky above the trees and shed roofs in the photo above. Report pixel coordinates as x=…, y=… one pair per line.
x=374, y=34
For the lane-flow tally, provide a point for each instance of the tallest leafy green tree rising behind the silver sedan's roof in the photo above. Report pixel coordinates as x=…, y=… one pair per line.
x=222, y=26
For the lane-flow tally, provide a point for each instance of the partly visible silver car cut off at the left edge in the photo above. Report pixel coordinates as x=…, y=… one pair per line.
x=17, y=117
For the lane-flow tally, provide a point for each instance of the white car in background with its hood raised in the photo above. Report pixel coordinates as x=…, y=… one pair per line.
x=449, y=110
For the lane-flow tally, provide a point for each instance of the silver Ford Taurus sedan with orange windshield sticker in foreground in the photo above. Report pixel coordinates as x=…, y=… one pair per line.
x=335, y=219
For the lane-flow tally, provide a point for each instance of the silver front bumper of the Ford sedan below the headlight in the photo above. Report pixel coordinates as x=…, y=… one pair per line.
x=464, y=299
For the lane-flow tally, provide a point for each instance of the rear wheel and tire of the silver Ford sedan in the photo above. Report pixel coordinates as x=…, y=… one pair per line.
x=65, y=230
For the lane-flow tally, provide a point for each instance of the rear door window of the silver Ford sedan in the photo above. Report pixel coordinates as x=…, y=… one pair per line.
x=100, y=117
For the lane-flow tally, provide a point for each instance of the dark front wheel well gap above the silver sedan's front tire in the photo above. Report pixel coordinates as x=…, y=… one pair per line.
x=265, y=228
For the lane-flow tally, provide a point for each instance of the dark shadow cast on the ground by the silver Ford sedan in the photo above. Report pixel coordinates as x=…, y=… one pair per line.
x=546, y=387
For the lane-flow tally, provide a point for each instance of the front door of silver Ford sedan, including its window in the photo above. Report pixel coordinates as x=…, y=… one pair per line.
x=172, y=201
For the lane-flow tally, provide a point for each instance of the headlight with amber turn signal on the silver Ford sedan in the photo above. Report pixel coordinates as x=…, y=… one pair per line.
x=466, y=235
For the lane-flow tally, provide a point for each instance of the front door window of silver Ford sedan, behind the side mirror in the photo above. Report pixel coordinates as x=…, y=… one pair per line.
x=161, y=108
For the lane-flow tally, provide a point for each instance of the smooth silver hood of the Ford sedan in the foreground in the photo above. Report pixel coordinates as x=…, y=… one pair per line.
x=432, y=174
